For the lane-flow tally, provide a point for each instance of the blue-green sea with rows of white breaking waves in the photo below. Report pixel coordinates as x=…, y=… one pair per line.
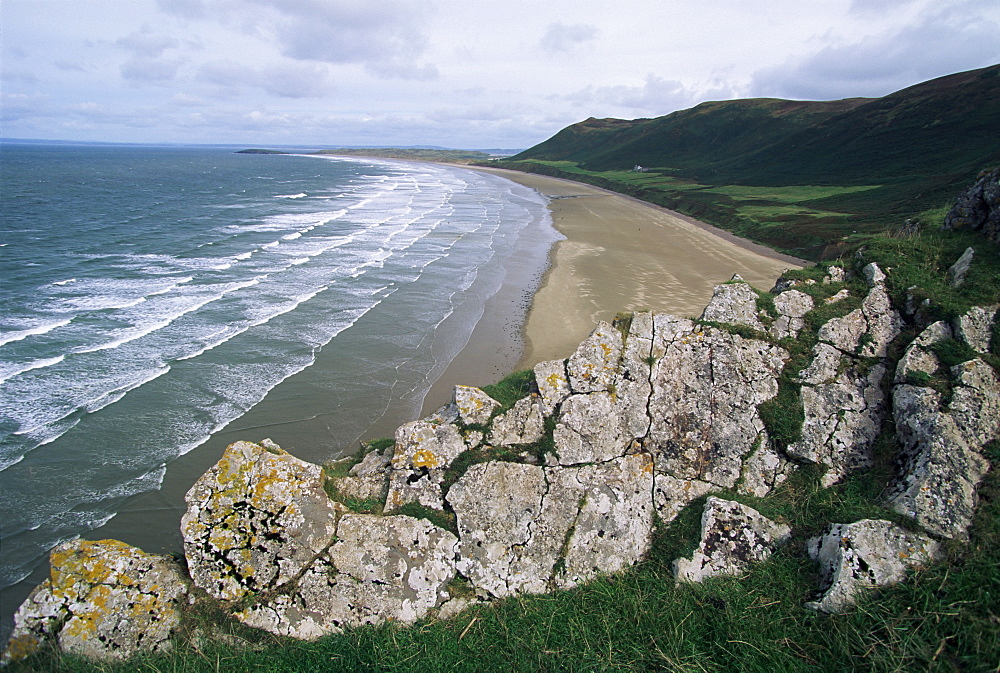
x=156, y=302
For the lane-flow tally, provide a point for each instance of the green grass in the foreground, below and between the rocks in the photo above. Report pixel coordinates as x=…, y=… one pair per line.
x=944, y=618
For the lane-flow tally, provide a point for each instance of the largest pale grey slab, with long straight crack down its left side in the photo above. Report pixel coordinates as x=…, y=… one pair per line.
x=706, y=386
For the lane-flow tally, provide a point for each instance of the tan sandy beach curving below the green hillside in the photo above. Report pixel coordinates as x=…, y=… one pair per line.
x=622, y=254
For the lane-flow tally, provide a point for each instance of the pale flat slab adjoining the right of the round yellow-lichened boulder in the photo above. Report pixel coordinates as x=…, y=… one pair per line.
x=393, y=568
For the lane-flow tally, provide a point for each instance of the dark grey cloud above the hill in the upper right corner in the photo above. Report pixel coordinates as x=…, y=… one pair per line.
x=947, y=39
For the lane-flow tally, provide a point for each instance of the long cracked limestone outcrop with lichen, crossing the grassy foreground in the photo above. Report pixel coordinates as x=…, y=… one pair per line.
x=481, y=501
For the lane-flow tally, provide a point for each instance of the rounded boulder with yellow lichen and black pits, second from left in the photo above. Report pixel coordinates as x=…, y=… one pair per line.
x=255, y=520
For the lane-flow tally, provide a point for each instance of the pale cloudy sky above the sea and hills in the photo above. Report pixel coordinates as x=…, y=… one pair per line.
x=464, y=74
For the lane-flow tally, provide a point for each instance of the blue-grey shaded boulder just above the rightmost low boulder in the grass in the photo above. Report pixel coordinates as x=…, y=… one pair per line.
x=938, y=483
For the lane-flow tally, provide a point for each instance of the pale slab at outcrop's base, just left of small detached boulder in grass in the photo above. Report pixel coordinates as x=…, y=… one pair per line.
x=613, y=528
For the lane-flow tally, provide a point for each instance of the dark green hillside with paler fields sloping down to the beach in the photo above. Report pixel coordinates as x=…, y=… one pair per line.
x=813, y=179
